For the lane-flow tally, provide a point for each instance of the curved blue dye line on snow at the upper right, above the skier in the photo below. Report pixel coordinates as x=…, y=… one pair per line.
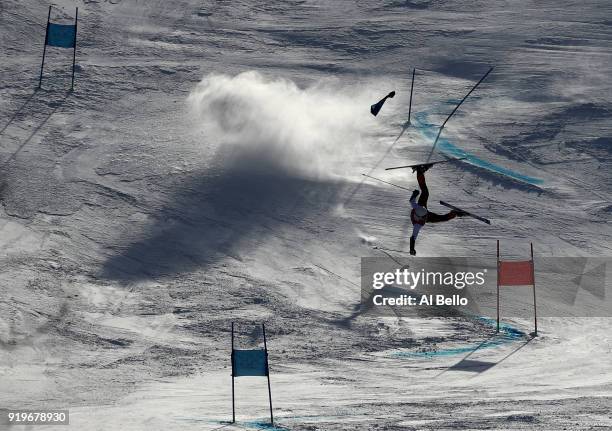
x=430, y=131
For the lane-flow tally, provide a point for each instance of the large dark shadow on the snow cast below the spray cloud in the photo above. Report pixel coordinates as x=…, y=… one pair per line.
x=227, y=213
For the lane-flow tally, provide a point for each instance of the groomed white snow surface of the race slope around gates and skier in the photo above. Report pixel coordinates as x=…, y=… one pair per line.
x=207, y=169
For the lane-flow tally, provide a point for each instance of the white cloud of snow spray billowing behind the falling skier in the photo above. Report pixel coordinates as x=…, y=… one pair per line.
x=273, y=124
